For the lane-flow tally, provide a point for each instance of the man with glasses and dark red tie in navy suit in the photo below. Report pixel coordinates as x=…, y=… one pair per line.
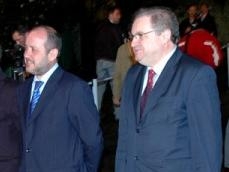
x=178, y=127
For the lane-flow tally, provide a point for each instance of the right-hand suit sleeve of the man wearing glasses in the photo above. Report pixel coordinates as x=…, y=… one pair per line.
x=203, y=107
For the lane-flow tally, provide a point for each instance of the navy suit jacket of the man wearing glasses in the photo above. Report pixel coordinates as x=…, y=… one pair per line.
x=181, y=125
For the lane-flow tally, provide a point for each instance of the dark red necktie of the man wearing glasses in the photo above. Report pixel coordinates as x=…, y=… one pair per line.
x=147, y=90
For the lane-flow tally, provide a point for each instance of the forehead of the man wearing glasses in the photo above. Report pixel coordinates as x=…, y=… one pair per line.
x=141, y=24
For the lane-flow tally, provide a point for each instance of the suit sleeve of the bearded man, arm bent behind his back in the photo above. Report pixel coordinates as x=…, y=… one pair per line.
x=86, y=121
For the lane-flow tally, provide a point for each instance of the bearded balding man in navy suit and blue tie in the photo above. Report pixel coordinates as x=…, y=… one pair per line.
x=61, y=131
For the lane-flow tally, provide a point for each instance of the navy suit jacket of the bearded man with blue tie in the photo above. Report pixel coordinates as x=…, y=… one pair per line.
x=63, y=132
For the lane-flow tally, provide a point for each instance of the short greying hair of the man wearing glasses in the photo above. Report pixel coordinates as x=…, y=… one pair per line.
x=162, y=18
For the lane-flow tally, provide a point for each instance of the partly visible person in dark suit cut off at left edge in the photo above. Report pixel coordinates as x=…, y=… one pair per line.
x=10, y=132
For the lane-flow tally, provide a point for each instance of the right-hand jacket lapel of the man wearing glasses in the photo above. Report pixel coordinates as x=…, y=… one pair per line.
x=163, y=83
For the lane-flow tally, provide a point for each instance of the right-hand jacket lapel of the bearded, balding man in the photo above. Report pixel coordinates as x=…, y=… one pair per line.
x=48, y=91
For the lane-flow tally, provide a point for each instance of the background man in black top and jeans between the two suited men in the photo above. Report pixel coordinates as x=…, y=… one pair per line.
x=109, y=37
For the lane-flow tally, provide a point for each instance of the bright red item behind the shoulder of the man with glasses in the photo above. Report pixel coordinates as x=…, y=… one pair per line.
x=202, y=45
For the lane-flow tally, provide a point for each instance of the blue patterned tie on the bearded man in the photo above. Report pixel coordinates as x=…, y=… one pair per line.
x=36, y=95
